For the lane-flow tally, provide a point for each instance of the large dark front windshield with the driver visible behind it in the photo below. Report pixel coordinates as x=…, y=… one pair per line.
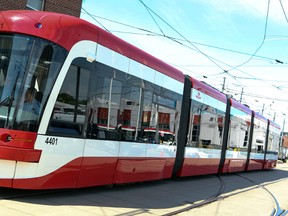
x=28, y=69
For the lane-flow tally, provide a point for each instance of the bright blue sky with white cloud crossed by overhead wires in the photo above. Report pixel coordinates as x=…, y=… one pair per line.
x=238, y=46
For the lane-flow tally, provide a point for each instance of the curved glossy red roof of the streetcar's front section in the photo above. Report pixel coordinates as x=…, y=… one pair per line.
x=55, y=27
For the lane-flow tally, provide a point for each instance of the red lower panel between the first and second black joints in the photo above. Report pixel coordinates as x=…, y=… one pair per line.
x=199, y=166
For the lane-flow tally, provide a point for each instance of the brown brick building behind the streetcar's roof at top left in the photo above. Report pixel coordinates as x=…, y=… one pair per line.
x=69, y=7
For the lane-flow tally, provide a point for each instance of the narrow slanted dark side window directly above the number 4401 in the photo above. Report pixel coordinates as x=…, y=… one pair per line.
x=69, y=113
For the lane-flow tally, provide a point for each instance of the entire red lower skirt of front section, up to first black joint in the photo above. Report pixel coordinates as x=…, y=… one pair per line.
x=98, y=171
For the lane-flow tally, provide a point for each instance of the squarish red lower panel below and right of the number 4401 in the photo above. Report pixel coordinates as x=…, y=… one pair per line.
x=97, y=171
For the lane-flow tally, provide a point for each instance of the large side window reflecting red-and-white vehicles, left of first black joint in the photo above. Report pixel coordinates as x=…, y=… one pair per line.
x=125, y=107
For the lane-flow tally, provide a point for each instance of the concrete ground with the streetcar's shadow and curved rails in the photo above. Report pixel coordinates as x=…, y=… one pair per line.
x=241, y=197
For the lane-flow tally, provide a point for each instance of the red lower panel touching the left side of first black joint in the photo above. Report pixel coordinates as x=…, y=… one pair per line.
x=135, y=169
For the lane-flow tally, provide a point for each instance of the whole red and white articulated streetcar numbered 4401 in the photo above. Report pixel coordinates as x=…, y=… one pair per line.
x=101, y=111
